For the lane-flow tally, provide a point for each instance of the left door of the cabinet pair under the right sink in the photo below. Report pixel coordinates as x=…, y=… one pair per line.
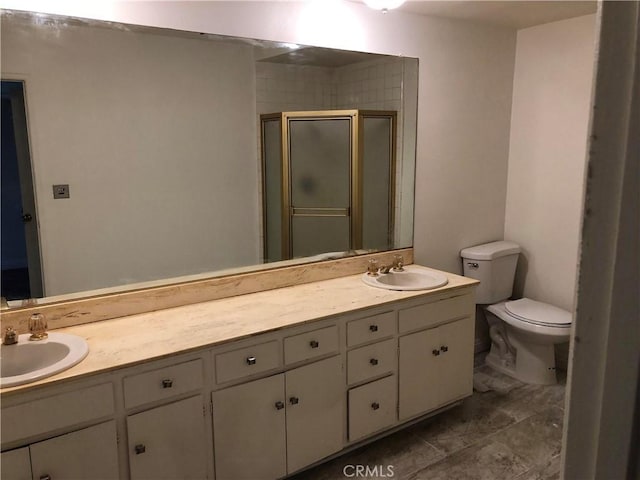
x=418, y=373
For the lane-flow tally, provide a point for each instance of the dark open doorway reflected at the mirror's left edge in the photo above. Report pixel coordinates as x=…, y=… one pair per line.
x=19, y=242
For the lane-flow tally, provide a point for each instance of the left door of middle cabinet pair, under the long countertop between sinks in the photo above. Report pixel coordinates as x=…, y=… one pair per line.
x=249, y=430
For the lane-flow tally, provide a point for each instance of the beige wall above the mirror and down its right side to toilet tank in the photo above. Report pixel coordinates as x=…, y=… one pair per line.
x=464, y=99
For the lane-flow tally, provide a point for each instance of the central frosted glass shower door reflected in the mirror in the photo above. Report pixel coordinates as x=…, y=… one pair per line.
x=320, y=157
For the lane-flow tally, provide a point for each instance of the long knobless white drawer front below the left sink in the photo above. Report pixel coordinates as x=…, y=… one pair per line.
x=56, y=412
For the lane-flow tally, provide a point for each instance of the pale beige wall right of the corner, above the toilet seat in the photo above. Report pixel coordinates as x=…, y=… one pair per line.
x=550, y=116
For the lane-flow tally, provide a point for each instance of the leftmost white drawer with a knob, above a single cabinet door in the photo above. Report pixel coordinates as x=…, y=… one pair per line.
x=162, y=383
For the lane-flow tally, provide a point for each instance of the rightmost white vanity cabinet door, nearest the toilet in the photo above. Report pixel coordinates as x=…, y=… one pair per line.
x=456, y=361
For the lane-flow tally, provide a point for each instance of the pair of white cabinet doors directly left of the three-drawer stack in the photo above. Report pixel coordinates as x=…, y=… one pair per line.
x=267, y=428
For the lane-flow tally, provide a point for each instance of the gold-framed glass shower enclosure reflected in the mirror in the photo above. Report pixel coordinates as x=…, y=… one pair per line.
x=328, y=182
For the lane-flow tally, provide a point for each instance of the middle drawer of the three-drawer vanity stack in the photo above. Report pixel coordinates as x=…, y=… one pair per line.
x=371, y=361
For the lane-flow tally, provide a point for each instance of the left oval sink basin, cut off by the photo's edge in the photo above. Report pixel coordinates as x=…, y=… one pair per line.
x=28, y=361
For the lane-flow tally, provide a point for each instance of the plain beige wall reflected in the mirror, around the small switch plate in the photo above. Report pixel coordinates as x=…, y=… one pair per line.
x=93, y=96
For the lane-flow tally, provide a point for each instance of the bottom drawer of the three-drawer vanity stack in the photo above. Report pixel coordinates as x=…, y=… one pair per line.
x=372, y=407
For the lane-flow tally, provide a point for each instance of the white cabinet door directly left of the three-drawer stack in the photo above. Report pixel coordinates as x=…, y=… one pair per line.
x=315, y=412
